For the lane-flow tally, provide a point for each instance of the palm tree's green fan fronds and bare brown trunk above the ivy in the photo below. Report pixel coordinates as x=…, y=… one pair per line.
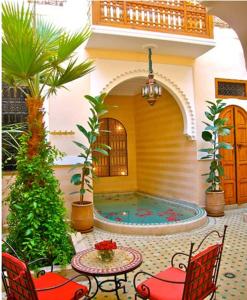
x=39, y=57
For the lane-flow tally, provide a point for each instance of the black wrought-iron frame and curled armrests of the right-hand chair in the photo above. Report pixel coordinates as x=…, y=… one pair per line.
x=182, y=266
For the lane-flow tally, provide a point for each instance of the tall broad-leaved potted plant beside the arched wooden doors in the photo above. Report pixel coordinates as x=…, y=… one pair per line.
x=215, y=127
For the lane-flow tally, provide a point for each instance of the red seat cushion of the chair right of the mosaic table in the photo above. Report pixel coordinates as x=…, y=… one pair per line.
x=160, y=290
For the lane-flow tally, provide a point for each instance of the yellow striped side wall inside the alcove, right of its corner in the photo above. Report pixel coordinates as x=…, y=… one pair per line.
x=166, y=159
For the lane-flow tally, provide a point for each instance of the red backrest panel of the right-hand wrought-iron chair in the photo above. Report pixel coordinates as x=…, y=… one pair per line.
x=201, y=274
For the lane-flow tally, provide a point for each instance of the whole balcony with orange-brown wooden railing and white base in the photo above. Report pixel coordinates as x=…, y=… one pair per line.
x=175, y=27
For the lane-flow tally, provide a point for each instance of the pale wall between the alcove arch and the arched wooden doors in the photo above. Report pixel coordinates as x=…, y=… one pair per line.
x=226, y=60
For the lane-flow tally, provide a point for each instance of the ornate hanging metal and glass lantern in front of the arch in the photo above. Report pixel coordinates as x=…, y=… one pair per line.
x=151, y=91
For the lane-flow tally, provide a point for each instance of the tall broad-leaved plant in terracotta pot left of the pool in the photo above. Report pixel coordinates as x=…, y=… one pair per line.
x=82, y=210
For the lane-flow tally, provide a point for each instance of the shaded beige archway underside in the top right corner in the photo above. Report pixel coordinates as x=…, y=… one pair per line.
x=235, y=14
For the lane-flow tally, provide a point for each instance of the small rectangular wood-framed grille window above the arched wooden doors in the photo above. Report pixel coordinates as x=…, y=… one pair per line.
x=230, y=88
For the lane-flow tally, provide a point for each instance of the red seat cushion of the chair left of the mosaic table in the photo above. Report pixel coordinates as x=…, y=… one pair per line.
x=65, y=292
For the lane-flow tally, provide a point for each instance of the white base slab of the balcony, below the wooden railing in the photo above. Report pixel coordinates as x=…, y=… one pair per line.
x=132, y=40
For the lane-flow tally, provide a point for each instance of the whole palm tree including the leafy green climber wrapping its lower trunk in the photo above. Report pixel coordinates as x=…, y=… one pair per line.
x=39, y=58
